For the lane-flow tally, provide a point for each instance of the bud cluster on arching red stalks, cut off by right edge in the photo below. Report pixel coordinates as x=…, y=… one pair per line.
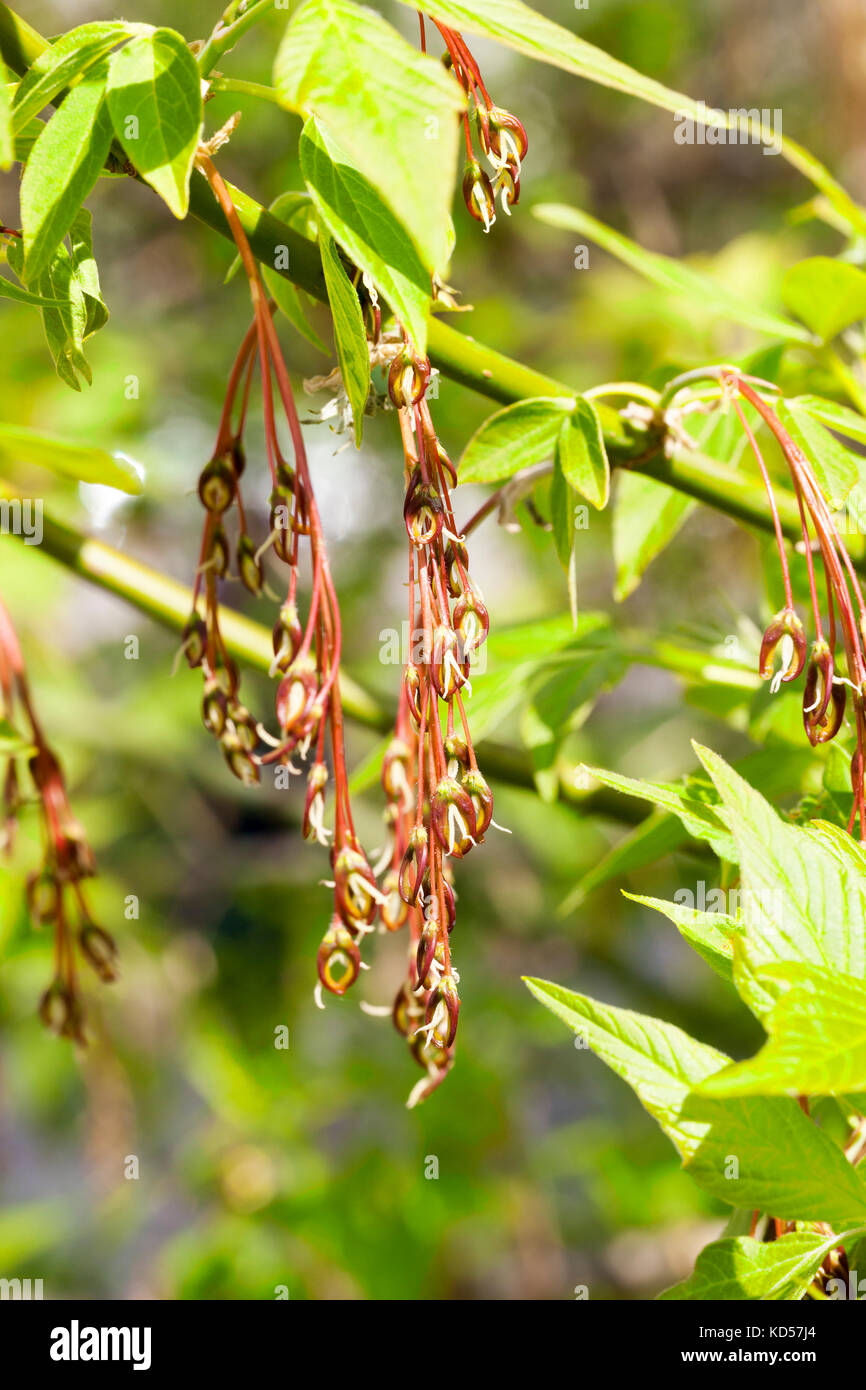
x=785, y=651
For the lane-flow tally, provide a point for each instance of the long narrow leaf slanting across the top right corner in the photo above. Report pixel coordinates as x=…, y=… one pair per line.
x=529, y=33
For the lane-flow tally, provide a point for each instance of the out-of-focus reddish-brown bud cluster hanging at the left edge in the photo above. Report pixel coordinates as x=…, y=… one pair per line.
x=55, y=892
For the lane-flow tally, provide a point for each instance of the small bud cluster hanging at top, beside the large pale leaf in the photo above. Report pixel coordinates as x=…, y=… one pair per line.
x=500, y=136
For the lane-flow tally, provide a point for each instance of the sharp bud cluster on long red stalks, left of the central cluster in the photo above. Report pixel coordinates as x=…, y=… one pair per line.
x=307, y=651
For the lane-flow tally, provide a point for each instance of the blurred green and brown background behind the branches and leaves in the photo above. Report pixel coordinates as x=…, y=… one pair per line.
x=302, y=1168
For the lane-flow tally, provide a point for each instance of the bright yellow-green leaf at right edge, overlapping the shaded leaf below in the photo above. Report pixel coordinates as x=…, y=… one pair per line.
x=817, y=1039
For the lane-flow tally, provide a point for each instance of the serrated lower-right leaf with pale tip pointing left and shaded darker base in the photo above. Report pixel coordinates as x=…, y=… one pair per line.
x=757, y=1152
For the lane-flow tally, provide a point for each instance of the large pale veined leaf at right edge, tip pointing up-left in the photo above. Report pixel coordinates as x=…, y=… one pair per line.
x=804, y=904
